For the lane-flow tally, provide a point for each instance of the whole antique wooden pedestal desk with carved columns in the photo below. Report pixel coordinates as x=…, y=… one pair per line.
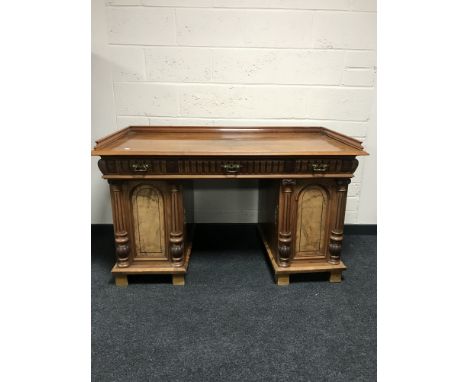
x=303, y=175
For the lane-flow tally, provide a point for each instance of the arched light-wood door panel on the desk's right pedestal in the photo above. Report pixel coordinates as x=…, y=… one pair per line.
x=311, y=228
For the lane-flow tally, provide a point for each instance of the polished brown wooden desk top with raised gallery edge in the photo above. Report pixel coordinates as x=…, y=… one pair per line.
x=227, y=141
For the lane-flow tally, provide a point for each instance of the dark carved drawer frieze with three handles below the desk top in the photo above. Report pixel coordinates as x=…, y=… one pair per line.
x=209, y=166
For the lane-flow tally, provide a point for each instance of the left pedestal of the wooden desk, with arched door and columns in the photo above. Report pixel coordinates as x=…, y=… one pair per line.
x=151, y=236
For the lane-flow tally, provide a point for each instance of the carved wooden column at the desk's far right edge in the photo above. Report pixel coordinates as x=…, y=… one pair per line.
x=336, y=237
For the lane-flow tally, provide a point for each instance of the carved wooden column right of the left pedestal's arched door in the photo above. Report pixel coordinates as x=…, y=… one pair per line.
x=176, y=235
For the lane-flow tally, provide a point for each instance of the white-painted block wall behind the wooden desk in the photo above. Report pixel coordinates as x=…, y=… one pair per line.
x=246, y=62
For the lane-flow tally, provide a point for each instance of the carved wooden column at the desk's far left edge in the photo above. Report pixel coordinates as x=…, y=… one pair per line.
x=122, y=248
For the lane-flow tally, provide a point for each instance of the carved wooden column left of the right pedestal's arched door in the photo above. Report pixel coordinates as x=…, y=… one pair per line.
x=284, y=222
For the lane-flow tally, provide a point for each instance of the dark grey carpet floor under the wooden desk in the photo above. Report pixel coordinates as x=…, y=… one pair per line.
x=230, y=322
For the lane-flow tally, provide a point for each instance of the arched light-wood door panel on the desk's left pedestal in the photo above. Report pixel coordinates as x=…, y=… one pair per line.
x=148, y=214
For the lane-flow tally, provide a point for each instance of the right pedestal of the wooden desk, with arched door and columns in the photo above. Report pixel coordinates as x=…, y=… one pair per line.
x=301, y=224
